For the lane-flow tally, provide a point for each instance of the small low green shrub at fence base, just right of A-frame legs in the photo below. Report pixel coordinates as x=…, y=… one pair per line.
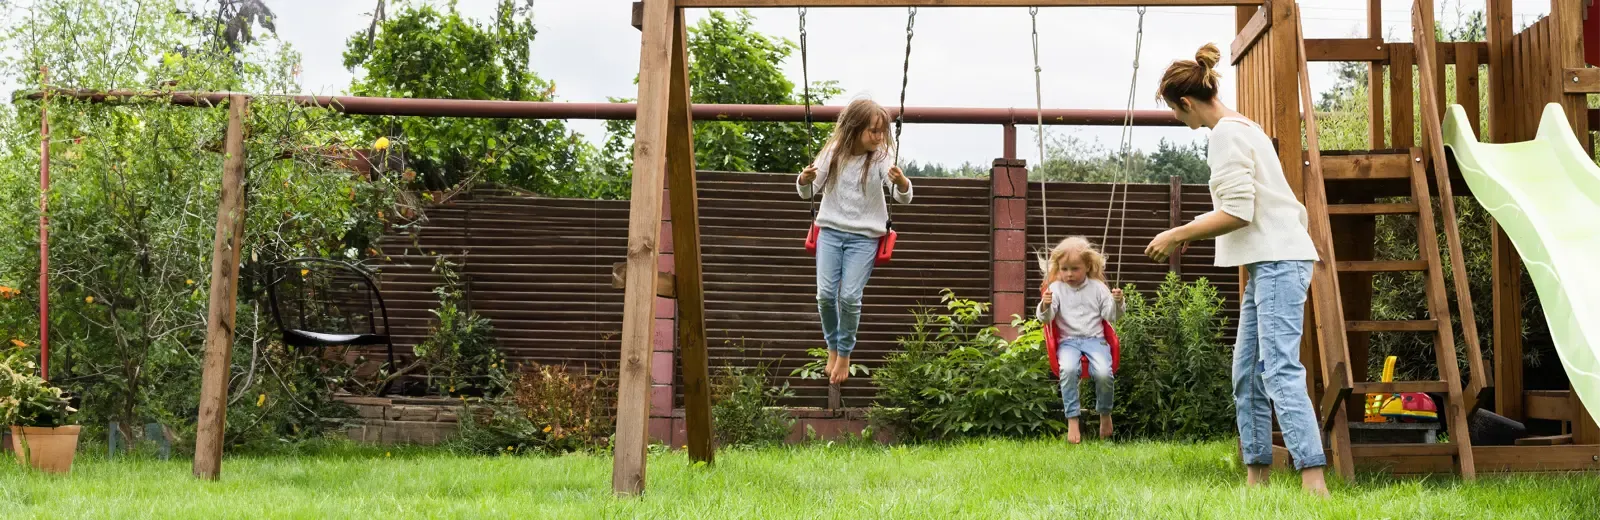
x=745, y=407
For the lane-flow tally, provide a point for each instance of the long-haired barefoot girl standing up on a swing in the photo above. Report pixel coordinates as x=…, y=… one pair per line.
x=852, y=172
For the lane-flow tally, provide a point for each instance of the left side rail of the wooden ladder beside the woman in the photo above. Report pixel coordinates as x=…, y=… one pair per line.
x=1326, y=308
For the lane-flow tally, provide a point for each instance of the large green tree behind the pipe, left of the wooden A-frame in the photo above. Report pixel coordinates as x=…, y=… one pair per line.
x=428, y=54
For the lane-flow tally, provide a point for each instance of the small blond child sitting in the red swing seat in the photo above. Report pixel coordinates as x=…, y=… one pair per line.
x=1076, y=300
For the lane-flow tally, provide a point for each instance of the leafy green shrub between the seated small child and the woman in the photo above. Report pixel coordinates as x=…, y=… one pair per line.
x=1175, y=380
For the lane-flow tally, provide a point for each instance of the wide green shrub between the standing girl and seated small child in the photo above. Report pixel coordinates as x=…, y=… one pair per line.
x=958, y=378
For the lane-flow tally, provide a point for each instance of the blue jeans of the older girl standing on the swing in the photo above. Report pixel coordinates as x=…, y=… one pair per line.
x=844, y=263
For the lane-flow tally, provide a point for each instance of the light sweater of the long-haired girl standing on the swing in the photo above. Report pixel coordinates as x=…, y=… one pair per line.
x=846, y=206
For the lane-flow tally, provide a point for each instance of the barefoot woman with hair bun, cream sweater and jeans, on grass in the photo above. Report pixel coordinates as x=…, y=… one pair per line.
x=1258, y=225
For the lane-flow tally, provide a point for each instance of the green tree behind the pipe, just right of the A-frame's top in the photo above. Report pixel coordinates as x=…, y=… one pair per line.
x=730, y=63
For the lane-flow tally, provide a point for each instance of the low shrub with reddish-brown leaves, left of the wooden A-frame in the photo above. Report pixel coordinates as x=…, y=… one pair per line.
x=550, y=410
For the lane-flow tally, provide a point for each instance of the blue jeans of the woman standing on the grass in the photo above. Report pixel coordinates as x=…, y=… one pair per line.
x=1266, y=366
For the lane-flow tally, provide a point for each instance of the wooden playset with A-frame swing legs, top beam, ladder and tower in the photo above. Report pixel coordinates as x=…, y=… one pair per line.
x=1340, y=190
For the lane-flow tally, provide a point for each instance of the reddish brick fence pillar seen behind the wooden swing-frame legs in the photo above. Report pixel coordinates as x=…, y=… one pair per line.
x=663, y=362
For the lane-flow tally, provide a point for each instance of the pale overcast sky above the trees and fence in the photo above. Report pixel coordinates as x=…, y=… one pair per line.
x=962, y=57
